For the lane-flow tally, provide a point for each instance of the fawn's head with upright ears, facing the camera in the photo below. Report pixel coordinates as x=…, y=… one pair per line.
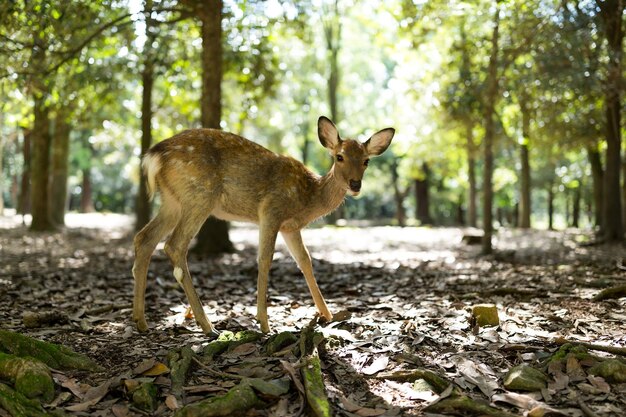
x=351, y=157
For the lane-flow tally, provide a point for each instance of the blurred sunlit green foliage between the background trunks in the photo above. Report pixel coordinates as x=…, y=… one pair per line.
x=418, y=66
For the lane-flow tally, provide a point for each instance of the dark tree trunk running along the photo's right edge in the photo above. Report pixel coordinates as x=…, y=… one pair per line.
x=612, y=18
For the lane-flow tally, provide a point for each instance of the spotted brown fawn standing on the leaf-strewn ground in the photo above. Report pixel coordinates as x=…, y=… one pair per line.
x=202, y=172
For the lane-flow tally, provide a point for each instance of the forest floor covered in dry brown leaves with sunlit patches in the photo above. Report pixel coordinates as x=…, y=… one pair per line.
x=403, y=296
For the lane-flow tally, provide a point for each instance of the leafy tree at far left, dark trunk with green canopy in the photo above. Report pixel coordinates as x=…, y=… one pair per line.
x=42, y=38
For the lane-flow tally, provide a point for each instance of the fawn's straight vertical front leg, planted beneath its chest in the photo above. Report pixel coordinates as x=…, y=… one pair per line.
x=267, y=242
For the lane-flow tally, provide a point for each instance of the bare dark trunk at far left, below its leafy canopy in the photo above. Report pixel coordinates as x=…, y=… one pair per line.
x=40, y=168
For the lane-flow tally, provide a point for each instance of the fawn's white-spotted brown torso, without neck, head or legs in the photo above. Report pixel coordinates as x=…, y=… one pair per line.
x=235, y=174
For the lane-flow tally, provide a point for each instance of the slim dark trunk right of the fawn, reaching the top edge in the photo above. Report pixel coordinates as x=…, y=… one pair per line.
x=491, y=97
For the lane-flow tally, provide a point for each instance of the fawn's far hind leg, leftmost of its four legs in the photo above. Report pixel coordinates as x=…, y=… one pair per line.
x=145, y=242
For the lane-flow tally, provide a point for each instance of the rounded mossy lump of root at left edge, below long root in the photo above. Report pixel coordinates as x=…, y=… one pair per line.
x=30, y=377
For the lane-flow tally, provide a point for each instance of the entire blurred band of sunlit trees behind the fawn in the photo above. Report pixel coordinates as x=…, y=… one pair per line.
x=508, y=113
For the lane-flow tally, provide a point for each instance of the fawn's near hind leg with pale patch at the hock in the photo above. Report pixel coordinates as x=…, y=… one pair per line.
x=176, y=248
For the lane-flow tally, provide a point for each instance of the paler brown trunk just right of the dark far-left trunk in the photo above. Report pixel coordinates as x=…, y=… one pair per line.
x=60, y=162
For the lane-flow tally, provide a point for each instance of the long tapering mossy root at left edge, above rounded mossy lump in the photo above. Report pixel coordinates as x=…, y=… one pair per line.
x=53, y=355
